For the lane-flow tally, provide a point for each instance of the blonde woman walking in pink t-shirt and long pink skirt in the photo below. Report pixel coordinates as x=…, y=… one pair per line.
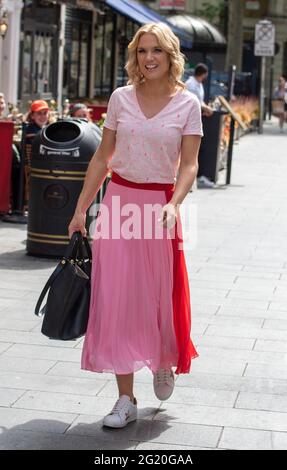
x=140, y=306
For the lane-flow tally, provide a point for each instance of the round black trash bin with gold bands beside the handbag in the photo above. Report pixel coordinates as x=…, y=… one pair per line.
x=60, y=156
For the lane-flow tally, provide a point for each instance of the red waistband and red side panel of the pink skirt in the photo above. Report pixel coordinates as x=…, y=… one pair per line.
x=180, y=294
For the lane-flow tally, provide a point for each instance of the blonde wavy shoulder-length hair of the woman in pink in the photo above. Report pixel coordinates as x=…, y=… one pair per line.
x=168, y=42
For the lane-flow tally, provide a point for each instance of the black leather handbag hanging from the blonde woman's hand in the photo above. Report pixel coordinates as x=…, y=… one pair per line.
x=67, y=308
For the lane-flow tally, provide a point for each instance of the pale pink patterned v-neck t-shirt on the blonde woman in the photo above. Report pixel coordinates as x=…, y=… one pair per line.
x=147, y=150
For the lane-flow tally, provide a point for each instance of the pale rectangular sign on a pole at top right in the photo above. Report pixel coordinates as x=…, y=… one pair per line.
x=264, y=38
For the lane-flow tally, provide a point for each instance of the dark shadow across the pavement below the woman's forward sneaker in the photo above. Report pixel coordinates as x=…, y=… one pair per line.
x=44, y=434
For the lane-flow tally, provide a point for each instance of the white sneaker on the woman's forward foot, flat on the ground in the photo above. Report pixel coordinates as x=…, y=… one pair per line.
x=122, y=413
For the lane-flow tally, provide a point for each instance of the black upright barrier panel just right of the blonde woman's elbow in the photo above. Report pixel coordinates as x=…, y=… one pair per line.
x=209, y=152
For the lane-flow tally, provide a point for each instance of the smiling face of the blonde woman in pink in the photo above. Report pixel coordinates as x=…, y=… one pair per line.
x=153, y=60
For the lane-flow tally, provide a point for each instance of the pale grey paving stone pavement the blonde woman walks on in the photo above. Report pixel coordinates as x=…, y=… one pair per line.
x=236, y=395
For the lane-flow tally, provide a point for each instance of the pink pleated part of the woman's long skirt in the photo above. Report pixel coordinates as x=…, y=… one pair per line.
x=131, y=311
